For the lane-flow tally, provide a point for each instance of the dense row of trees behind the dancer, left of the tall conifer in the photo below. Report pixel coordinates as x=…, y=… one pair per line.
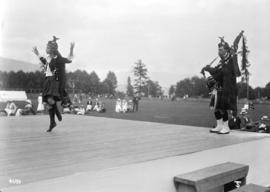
x=77, y=81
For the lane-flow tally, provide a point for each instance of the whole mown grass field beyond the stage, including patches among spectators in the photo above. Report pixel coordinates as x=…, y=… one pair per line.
x=184, y=112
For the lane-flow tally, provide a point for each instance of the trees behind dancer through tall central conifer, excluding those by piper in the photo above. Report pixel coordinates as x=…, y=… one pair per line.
x=83, y=82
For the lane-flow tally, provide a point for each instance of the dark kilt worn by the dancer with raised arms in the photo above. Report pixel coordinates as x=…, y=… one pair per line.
x=51, y=89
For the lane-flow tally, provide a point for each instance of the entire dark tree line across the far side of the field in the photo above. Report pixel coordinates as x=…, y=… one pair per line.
x=90, y=83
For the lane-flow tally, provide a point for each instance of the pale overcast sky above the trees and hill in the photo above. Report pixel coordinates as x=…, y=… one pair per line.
x=174, y=38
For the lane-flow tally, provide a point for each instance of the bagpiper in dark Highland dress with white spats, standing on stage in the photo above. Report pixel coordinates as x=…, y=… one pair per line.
x=224, y=77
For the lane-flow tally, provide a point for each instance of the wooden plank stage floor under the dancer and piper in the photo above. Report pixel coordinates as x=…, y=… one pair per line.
x=84, y=143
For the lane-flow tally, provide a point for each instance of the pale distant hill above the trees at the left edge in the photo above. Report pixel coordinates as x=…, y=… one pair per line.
x=7, y=64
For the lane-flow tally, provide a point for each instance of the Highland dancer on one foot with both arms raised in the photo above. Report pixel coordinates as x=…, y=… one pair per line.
x=54, y=84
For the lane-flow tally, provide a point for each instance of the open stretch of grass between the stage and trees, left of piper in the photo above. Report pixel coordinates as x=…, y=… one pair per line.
x=183, y=112
